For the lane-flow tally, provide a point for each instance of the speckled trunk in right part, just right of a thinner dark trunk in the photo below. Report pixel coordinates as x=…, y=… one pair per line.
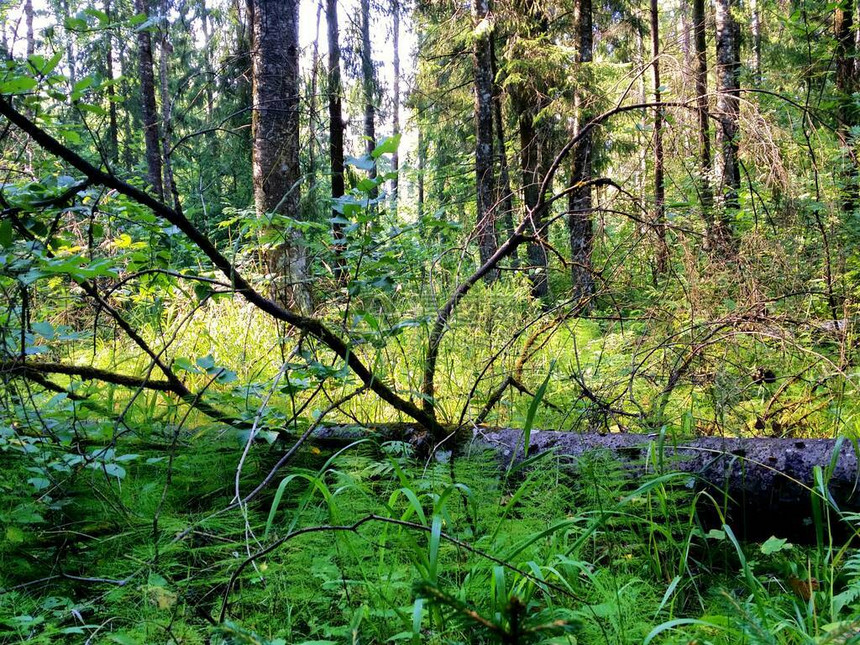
x=728, y=106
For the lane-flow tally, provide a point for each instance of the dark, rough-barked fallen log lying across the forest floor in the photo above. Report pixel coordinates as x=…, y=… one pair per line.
x=766, y=486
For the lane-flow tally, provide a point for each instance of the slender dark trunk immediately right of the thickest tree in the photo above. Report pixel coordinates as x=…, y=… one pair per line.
x=336, y=127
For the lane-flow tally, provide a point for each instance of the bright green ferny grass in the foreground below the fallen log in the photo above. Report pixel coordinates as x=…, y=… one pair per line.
x=627, y=560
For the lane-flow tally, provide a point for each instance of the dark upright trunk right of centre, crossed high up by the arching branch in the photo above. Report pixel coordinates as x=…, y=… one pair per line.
x=579, y=202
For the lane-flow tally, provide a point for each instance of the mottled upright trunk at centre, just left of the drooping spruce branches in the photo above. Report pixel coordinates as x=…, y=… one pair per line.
x=484, y=177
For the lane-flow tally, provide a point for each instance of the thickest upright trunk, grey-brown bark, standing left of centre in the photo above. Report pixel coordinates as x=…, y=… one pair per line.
x=275, y=90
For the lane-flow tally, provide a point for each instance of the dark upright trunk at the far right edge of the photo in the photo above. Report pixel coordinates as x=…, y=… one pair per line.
x=846, y=86
